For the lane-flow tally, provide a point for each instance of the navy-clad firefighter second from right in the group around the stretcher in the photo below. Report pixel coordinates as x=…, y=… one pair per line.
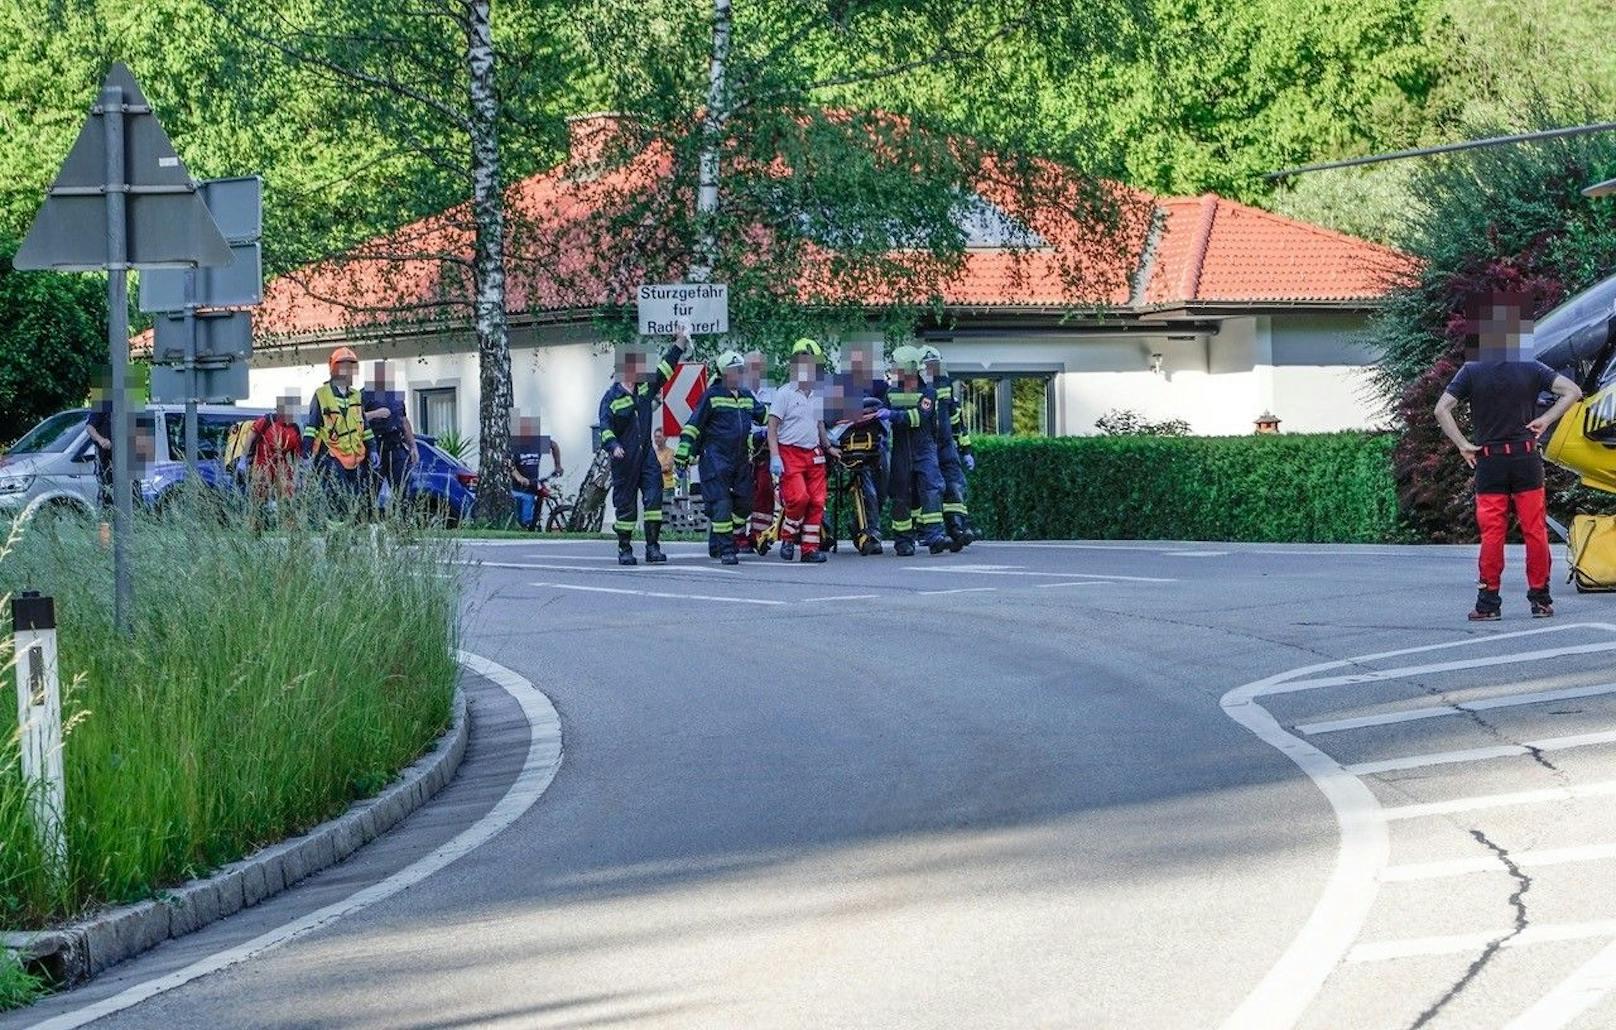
x=915, y=479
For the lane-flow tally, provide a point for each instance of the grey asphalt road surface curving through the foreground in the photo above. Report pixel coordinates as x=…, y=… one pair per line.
x=1022, y=787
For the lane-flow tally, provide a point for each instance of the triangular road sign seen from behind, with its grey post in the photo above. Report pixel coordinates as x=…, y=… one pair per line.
x=124, y=200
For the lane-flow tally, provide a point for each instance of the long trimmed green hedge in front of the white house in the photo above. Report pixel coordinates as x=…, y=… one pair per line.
x=1318, y=489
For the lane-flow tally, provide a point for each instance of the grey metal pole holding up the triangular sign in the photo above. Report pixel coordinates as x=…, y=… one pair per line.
x=119, y=352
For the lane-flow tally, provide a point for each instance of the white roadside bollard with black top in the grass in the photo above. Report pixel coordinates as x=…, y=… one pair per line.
x=40, y=717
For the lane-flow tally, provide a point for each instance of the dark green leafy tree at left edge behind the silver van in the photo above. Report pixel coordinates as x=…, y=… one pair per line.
x=53, y=337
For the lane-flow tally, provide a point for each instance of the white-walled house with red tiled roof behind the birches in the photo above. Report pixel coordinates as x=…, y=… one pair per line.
x=1213, y=311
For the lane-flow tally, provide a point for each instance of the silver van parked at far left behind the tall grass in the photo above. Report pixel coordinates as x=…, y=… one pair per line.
x=53, y=468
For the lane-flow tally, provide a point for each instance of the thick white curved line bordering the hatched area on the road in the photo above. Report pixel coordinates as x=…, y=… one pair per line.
x=1290, y=987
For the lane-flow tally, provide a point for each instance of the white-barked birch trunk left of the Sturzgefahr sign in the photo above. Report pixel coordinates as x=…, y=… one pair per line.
x=489, y=271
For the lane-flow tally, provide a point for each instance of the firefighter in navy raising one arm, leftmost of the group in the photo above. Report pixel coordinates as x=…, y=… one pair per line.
x=626, y=416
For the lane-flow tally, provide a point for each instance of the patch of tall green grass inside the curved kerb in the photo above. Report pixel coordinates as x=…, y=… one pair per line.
x=269, y=682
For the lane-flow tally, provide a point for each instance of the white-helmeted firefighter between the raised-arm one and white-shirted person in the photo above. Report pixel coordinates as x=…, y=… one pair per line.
x=720, y=436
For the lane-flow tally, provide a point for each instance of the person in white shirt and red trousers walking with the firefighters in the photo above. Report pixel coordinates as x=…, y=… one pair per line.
x=797, y=454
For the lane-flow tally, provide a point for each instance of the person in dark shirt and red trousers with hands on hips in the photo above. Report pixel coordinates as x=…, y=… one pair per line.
x=1504, y=395
